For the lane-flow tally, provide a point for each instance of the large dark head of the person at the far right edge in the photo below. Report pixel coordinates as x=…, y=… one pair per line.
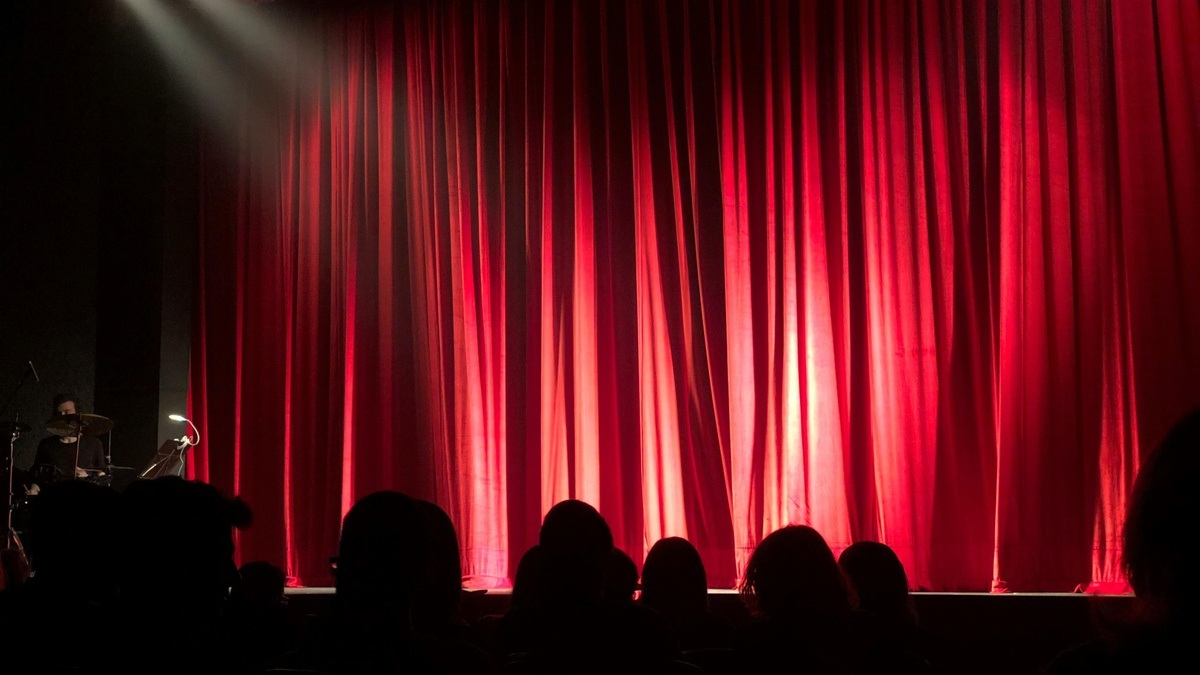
x=1162, y=542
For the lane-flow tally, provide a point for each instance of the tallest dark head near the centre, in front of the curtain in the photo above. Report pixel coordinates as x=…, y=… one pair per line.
x=575, y=545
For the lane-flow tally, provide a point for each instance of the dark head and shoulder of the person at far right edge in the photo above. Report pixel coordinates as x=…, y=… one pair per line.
x=1162, y=559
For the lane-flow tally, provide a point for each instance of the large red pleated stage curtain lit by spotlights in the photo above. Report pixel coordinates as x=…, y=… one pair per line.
x=910, y=272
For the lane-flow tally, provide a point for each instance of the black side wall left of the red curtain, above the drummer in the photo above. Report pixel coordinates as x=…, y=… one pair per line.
x=95, y=225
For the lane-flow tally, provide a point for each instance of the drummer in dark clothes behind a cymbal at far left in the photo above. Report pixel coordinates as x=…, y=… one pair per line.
x=73, y=450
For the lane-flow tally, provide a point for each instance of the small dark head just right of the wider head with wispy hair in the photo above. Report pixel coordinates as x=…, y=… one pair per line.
x=879, y=581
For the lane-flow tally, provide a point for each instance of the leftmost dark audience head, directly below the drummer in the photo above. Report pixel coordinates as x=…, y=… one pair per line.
x=71, y=533
